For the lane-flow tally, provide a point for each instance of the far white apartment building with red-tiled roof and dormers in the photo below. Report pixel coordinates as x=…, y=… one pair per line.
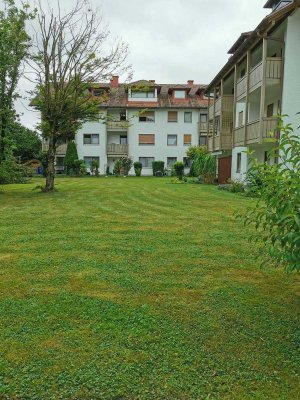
x=144, y=120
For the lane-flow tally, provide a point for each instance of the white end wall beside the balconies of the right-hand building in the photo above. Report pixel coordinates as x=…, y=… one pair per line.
x=291, y=83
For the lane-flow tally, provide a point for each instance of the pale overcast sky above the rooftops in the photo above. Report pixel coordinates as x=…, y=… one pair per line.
x=172, y=41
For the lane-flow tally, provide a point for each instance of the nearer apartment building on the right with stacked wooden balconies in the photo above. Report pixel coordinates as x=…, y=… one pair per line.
x=260, y=80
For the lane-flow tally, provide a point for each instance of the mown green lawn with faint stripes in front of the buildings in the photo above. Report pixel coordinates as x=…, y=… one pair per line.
x=140, y=289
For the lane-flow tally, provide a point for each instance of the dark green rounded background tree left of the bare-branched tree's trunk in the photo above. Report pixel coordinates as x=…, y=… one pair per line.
x=24, y=143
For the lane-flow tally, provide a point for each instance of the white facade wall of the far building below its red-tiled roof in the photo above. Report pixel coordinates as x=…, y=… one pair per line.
x=161, y=128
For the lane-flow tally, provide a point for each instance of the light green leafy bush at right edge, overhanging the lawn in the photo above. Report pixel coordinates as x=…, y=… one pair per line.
x=276, y=215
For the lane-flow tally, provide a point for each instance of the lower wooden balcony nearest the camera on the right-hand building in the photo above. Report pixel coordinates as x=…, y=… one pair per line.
x=256, y=131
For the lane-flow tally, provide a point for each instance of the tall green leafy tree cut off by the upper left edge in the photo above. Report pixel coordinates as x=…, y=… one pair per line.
x=14, y=47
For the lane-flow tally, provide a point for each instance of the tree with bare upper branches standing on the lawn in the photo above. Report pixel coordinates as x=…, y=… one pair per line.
x=71, y=53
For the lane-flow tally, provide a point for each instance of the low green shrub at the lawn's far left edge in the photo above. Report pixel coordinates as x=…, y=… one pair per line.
x=13, y=172
